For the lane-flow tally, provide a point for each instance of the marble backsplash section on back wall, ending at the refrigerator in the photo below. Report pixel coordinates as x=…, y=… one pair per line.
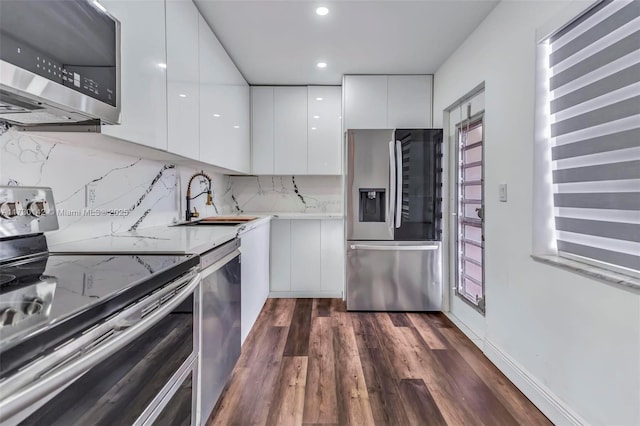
x=297, y=194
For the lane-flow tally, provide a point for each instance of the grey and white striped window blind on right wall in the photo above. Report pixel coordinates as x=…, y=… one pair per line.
x=594, y=65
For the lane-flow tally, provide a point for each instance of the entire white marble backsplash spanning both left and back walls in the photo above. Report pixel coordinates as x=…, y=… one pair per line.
x=98, y=192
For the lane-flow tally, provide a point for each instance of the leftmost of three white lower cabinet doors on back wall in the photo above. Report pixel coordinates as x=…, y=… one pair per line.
x=280, y=255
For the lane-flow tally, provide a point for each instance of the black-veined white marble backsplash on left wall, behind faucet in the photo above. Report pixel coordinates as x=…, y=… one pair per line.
x=100, y=192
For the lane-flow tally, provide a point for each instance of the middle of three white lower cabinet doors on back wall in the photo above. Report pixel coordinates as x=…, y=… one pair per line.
x=305, y=255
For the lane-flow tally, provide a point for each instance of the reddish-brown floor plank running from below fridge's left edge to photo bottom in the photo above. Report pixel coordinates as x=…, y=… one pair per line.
x=353, y=399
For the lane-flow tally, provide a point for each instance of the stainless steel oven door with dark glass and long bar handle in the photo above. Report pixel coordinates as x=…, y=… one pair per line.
x=137, y=367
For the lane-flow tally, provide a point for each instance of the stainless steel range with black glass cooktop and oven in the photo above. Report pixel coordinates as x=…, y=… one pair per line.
x=99, y=339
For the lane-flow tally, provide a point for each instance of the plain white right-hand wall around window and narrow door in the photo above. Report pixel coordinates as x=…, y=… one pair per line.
x=576, y=337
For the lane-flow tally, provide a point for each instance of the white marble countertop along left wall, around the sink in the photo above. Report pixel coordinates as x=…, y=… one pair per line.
x=161, y=239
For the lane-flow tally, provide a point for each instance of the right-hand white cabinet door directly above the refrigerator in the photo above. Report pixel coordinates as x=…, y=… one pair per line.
x=409, y=101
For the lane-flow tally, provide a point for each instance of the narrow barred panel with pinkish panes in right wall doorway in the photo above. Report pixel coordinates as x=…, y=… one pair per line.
x=470, y=212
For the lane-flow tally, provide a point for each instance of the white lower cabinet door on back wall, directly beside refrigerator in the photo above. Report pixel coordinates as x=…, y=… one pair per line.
x=332, y=255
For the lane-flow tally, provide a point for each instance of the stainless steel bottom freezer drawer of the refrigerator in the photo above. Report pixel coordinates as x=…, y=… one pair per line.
x=394, y=276
